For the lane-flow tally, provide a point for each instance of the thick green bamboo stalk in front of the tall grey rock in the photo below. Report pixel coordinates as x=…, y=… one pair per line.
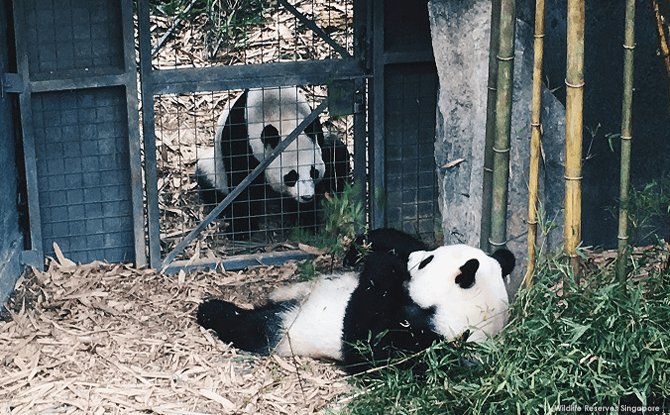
x=501, y=145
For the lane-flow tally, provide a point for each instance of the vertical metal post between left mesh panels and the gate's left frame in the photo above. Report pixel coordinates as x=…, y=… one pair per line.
x=135, y=161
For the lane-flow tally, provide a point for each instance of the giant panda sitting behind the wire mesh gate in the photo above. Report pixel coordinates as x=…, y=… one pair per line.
x=249, y=131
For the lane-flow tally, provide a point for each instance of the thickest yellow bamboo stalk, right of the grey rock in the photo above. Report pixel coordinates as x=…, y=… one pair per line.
x=574, y=125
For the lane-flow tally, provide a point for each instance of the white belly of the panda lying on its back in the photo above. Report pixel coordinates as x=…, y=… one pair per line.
x=315, y=328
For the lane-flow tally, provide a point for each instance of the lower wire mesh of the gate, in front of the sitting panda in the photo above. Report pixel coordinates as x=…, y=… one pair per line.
x=186, y=136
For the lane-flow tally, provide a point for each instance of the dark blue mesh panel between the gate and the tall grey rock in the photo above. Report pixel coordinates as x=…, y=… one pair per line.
x=405, y=93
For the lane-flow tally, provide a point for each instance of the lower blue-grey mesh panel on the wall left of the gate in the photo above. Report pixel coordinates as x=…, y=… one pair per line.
x=81, y=148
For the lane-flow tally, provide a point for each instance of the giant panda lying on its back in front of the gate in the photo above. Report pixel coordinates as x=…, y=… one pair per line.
x=389, y=307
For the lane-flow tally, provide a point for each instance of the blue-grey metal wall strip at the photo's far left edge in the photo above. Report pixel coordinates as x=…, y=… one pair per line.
x=11, y=241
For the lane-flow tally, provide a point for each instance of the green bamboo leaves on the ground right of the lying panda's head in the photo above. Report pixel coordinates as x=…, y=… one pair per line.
x=592, y=345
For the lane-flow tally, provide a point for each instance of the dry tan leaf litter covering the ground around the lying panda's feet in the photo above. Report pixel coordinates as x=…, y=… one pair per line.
x=111, y=339
